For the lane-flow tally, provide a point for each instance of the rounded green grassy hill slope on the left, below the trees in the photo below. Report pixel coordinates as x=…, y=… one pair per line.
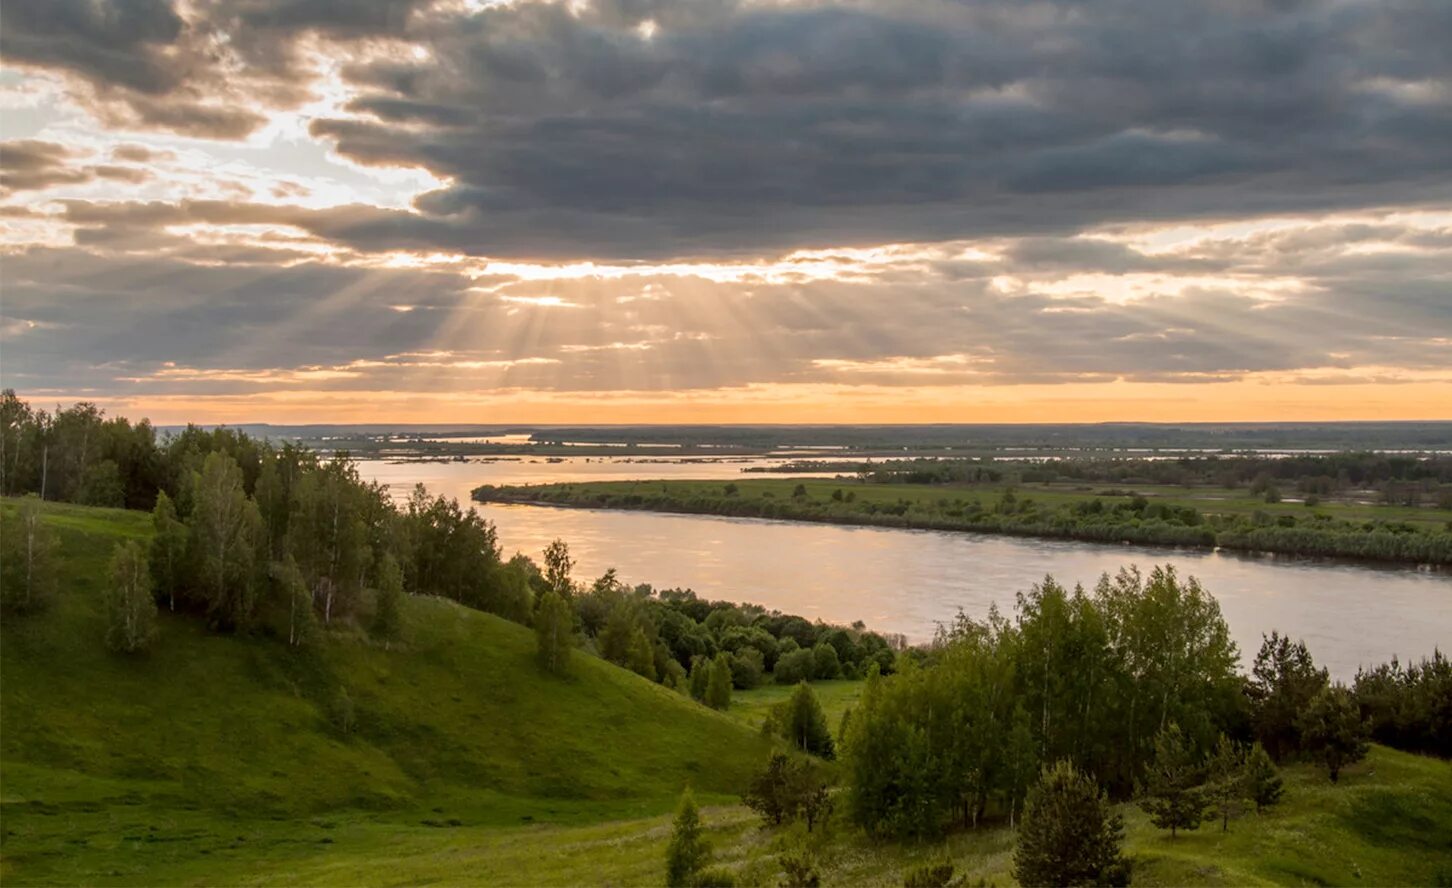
x=457, y=726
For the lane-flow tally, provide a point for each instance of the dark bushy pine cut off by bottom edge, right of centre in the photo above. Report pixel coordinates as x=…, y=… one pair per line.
x=1069, y=835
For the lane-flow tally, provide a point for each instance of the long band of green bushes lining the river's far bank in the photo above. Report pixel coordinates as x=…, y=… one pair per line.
x=1133, y=520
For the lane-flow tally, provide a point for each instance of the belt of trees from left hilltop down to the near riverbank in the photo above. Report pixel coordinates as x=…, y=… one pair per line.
x=278, y=539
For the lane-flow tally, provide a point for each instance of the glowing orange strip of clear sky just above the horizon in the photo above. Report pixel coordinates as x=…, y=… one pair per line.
x=772, y=404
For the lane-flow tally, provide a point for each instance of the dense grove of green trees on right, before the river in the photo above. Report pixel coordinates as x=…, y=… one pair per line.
x=1112, y=681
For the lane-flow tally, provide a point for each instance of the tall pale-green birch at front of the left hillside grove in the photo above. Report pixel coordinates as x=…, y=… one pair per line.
x=224, y=532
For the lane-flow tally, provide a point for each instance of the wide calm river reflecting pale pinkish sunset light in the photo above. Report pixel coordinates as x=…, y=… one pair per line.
x=901, y=581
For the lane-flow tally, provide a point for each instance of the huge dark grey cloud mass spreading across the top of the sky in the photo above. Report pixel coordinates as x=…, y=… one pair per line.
x=641, y=130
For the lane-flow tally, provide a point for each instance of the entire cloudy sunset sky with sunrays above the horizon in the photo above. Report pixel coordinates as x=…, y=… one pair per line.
x=717, y=211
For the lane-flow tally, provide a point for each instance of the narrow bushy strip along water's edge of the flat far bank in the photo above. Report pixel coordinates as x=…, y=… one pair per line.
x=1120, y=517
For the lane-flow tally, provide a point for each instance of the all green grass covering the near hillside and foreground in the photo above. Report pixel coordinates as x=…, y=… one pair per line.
x=216, y=761
